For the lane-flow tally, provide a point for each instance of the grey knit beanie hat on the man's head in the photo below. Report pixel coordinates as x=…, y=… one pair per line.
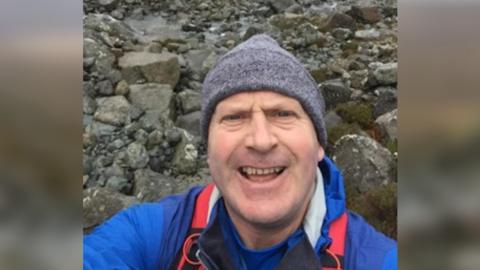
x=261, y=64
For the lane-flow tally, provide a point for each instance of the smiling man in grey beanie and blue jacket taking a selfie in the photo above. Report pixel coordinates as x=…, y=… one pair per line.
x=277, y=201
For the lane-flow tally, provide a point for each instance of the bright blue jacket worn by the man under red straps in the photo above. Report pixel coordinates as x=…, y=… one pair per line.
x=148, y=236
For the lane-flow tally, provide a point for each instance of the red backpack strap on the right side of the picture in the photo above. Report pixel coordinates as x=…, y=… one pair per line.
x=336, y=251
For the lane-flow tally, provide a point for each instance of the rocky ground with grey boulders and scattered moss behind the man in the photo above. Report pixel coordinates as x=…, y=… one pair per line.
x=144, y=63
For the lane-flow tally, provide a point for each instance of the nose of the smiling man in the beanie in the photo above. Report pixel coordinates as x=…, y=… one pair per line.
x=261, y=137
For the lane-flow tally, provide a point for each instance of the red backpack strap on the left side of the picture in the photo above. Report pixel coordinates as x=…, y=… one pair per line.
x=186, y=259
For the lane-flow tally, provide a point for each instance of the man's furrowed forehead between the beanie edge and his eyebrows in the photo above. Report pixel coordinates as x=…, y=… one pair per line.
x=264, y=99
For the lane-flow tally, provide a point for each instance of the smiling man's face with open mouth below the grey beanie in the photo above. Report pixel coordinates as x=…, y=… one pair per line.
x=263, y=153
